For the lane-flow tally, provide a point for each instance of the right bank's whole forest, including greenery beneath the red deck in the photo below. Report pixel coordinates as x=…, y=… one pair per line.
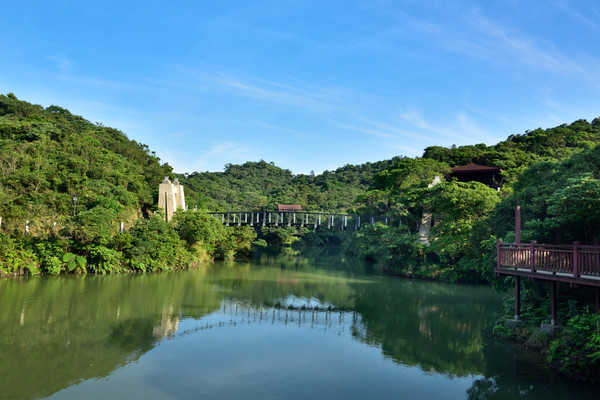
x=553, y=174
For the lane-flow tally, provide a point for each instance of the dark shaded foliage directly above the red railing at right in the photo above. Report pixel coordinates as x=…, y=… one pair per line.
x=556, y=198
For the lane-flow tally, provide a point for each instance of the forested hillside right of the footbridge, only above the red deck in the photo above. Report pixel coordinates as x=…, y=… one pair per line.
x=550, y=173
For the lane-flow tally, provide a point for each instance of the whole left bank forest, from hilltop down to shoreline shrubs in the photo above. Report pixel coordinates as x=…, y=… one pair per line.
x=49, y=154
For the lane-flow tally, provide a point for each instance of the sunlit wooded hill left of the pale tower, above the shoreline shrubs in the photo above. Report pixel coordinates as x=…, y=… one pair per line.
x=48, y=154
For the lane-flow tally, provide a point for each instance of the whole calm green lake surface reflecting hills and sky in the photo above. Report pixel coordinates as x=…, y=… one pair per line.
x=310, y=325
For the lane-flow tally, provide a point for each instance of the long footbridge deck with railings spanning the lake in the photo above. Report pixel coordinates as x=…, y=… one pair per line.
x=299, y=219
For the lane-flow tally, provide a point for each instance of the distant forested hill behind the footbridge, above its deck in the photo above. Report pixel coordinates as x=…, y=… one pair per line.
x=262, y=185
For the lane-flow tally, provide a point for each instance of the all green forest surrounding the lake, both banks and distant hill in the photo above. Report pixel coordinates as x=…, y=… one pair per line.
x=48, y=154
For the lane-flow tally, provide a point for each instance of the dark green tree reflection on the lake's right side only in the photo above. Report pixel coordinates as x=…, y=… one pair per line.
x=436, y=326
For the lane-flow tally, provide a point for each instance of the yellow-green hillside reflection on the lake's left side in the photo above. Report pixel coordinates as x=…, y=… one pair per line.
x=57, y=331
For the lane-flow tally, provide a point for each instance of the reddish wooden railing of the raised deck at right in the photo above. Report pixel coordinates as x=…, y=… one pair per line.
x=575, y=260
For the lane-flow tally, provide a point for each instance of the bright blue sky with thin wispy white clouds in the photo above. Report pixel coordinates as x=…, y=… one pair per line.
x=309, y=85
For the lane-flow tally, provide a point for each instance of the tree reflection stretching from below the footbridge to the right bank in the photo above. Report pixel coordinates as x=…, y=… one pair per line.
x=433, y=325
